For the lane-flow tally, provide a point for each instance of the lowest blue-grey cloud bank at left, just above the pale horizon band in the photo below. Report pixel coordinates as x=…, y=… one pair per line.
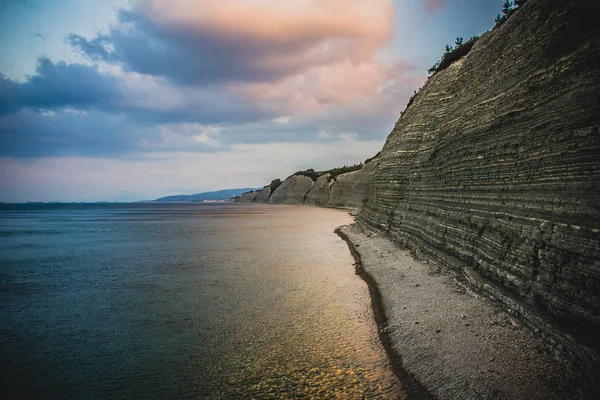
x=71, y=132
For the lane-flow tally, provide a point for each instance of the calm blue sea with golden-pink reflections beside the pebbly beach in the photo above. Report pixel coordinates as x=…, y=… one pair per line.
x=184, y=301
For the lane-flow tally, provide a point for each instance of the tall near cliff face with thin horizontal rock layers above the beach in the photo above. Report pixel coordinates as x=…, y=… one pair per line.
x=494, y=170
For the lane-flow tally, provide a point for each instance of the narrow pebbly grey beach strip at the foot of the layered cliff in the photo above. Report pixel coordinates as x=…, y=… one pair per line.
x=447, y=343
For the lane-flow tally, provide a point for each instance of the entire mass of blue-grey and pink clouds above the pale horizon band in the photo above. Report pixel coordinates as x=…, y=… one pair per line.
x=206, y=76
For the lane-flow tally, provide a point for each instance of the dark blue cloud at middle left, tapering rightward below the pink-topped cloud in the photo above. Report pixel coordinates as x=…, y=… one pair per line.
x=57, y=86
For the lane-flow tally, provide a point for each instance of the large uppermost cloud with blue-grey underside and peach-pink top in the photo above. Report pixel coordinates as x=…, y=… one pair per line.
x=207, y=42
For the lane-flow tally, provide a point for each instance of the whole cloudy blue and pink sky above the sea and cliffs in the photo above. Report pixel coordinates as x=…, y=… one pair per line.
x=120, y=100
